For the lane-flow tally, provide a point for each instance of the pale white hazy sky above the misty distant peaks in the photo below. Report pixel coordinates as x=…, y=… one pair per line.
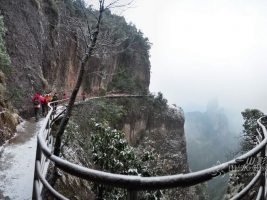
x=206, y=49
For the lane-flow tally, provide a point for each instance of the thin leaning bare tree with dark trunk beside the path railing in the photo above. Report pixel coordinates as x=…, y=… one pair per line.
x=90, y=42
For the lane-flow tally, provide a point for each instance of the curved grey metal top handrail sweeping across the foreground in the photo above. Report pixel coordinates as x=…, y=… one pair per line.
x=147, y=183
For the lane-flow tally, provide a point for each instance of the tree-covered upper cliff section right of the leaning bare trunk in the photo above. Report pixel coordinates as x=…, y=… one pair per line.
x=121, y=42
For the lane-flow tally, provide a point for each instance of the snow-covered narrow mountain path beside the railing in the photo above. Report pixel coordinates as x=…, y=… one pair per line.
x=17, y=162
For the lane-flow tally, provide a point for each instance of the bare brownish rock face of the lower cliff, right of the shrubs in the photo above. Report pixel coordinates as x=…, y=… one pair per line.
x=164, y=132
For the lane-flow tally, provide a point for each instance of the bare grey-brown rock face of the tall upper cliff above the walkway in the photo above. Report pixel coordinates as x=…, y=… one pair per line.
x=43, y=45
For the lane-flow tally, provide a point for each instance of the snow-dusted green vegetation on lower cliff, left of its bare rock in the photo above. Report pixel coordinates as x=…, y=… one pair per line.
x=94, y=139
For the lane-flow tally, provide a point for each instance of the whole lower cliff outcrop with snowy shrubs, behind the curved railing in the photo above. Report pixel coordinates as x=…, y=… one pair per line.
x=135, y=120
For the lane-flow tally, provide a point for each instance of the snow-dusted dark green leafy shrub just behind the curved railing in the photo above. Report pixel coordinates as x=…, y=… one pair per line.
x=112, y=153
